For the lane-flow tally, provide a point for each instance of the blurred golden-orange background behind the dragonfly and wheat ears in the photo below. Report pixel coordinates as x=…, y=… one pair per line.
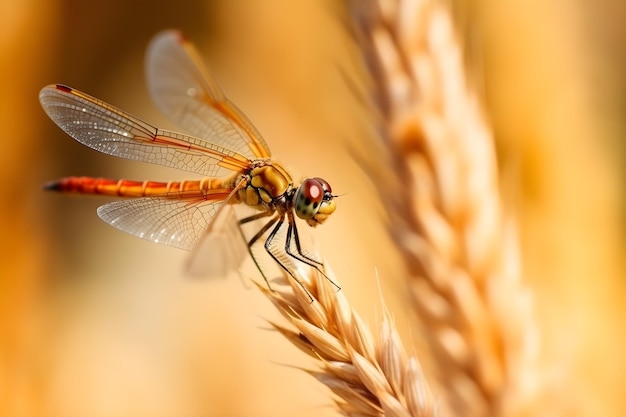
x=95, y=322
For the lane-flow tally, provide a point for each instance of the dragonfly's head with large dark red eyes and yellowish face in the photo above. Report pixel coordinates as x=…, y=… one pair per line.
x=313, y=201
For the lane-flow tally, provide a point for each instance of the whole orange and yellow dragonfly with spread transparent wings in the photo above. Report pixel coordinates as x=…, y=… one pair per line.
x=223, y=147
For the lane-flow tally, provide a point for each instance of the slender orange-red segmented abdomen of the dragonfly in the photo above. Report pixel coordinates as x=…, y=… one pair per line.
x=207, y=188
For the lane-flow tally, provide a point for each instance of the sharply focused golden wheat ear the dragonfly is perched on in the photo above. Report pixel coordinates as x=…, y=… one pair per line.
x=370, y=376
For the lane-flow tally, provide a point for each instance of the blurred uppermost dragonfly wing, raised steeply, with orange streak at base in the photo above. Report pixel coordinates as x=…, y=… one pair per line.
x=185, y=90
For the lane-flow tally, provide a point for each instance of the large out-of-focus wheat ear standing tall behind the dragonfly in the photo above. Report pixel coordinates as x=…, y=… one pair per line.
x=440, y=182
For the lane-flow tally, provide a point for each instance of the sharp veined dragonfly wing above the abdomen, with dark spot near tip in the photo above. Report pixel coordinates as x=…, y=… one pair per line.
x=107, y=129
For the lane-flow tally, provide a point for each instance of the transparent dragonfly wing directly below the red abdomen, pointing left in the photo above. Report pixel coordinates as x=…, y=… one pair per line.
x=178, y=223
